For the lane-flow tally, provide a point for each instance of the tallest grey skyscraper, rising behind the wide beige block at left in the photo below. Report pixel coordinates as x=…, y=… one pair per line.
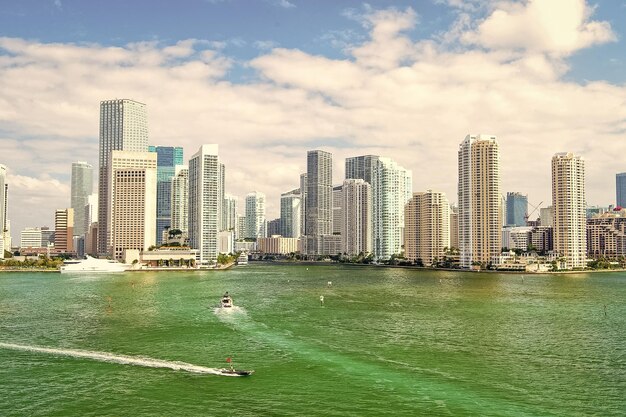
x=123, y=126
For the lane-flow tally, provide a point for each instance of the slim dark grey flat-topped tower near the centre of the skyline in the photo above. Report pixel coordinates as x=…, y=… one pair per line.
x=319, y=216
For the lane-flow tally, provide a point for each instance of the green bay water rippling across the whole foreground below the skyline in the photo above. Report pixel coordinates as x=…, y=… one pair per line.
x=386, y=342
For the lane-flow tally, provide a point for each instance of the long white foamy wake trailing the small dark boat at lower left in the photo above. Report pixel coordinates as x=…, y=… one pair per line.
x=120, y=359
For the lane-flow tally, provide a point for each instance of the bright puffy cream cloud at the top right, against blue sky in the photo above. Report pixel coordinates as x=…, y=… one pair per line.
x=559, y=27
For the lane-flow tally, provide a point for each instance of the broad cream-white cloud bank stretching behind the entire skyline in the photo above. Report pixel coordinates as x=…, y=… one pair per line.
x=392, y=96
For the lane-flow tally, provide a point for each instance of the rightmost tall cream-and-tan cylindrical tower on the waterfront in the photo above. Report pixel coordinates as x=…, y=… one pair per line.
x=568, y=202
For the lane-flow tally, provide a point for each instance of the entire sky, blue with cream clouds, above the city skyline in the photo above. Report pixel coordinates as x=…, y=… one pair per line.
x=268, y=80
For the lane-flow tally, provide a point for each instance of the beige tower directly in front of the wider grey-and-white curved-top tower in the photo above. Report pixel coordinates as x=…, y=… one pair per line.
x=356, y=217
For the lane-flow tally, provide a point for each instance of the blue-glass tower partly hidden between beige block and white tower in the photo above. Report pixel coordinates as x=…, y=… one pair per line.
x=168, y=157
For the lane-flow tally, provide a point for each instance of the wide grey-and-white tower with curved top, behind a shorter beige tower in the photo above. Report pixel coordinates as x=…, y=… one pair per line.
x=391, y=190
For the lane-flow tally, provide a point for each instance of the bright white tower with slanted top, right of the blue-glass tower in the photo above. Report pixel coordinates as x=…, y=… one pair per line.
x=204, y=204
